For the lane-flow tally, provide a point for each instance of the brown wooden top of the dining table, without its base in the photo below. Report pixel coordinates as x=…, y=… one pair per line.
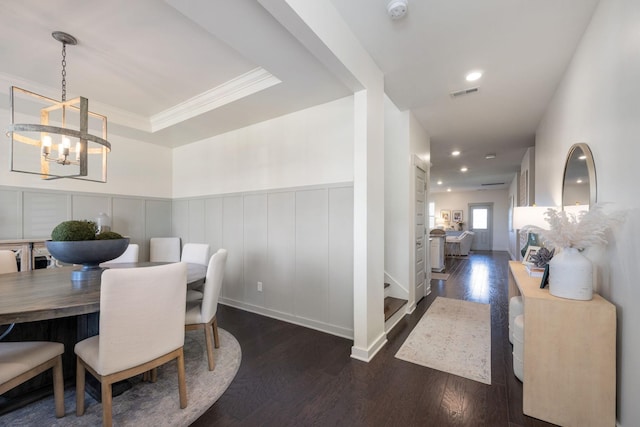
x=49, y=293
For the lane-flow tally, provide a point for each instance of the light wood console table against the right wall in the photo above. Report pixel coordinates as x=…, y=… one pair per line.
x=569, y=355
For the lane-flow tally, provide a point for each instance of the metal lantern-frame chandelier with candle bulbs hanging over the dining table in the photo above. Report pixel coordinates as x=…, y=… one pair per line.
x=67, y=125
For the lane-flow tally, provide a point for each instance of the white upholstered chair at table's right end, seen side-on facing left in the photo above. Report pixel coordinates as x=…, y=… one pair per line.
x=201, y=314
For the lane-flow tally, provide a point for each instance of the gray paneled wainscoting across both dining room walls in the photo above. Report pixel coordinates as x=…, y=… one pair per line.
x=298, y=242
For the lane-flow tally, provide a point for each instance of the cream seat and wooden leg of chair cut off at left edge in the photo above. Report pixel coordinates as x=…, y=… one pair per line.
x=21, y=361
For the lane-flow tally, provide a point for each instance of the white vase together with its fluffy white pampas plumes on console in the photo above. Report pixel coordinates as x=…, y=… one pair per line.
x=570, y=272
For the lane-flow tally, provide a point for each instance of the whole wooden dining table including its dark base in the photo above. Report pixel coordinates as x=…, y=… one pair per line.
x=45, y=304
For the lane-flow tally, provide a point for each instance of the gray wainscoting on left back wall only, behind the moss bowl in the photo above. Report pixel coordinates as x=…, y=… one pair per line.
x=31, y=214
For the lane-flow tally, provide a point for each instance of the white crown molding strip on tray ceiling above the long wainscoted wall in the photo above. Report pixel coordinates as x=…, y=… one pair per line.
x=242, y=86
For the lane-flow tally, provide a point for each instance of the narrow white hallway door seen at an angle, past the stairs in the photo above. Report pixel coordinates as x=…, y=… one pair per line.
x=420, y=234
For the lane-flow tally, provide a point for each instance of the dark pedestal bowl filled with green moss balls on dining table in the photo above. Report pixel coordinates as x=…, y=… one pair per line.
x=76, y=242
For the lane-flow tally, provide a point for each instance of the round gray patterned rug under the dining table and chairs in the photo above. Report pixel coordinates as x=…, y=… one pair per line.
x=149, y=404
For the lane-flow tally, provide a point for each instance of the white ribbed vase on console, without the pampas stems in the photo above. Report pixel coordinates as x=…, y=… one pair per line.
x=571, y=275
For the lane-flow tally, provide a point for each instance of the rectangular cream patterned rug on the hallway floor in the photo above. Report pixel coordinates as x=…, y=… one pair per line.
x=453, y=336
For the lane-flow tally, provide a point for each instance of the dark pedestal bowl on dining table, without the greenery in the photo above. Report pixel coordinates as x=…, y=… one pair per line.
x=89, y=253
